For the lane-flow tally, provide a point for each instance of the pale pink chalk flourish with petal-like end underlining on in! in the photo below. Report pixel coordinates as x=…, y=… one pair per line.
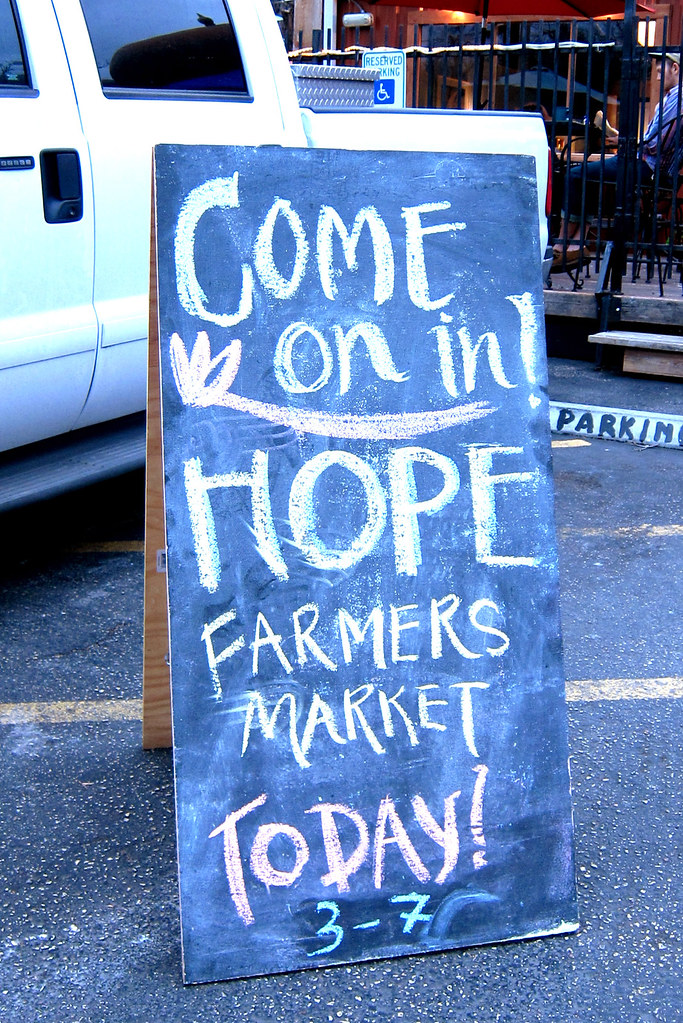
x=192, y=375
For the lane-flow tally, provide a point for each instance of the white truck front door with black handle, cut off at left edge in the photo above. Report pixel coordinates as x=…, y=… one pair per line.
x=49, y=331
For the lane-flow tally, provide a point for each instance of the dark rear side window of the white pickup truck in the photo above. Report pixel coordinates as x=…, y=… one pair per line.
x=166, y=47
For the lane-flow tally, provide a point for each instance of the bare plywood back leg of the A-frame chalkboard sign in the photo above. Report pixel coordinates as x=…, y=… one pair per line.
x=156, y=673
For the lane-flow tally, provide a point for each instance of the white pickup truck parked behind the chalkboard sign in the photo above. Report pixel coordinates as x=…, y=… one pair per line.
x=87, y=88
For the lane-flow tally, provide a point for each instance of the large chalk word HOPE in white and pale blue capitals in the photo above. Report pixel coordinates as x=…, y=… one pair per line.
x=396, y=503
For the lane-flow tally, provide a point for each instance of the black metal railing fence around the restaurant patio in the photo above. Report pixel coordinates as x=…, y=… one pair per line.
x=598, y=92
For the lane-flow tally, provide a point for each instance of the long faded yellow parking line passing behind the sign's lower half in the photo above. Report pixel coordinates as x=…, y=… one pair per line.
x=66, y=711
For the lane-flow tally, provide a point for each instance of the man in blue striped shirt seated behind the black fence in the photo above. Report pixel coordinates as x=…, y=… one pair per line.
x=659, y=143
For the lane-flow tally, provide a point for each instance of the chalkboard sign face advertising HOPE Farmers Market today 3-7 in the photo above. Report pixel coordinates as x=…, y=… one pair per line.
x=369, y=706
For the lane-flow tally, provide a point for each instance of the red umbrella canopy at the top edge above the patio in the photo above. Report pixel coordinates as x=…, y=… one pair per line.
x=550, y=10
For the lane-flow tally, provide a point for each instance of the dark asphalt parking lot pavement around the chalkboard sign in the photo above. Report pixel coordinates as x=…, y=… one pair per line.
x=89, y=918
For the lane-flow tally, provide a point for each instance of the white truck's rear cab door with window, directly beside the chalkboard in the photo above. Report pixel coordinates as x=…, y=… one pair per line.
x=146, y=74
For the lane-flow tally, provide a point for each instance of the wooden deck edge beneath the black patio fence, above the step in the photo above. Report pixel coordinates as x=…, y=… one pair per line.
x=642, y=302
